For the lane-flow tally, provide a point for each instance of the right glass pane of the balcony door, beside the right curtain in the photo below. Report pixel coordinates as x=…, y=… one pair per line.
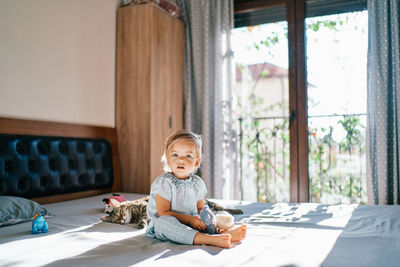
x=336, y=89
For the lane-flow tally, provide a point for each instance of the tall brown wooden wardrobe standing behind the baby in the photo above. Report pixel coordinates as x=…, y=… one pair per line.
x=149, y=97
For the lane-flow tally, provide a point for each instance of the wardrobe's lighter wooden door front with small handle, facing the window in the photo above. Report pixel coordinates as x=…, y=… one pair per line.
x=167, y=83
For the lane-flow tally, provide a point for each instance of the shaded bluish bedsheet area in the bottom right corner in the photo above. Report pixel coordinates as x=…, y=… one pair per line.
x=370, y=238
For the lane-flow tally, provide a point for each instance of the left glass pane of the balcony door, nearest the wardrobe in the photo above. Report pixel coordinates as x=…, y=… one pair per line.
x=262, y=91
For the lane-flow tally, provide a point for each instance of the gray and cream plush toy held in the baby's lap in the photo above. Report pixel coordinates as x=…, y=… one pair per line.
x=216, y=223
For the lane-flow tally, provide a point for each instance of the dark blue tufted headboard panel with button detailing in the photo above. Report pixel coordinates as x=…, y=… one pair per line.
x=34, y=166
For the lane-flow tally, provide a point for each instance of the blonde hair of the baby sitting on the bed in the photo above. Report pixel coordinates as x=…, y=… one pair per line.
x=179, y=135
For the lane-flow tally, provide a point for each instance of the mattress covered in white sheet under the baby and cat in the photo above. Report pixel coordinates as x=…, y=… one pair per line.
x=278, y=234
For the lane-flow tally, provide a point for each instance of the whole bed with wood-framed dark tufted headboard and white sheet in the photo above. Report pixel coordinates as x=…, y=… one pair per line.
x=279, y=234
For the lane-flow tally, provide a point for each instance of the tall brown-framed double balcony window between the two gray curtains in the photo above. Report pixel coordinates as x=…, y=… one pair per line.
x=284, y=146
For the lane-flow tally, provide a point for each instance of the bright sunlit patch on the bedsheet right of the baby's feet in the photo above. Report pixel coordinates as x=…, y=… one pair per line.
x=286, y=226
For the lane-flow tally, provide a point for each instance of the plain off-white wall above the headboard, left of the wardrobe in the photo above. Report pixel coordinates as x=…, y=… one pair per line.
x=57, y=60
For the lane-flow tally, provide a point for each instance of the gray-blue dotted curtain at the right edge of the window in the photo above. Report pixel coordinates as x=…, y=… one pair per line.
x=383, y=144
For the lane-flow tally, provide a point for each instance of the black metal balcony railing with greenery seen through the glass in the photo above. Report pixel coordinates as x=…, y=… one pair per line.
x=336, y=158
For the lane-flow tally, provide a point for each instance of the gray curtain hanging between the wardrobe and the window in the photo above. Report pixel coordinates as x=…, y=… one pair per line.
x=208, y=90
